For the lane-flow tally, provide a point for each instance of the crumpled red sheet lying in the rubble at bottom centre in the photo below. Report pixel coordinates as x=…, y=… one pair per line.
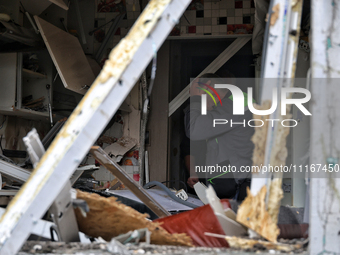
x=195, y=222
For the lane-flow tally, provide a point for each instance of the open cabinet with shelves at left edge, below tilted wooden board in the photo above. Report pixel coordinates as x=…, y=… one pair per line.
x=19, y=81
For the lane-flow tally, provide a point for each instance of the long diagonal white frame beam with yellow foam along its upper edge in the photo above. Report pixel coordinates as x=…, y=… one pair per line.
x=121, y=71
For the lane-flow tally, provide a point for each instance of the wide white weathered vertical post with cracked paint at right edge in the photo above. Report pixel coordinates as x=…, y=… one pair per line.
x=325, y=140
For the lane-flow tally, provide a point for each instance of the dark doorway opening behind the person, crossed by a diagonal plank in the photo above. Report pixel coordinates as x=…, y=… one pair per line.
x=188, y=58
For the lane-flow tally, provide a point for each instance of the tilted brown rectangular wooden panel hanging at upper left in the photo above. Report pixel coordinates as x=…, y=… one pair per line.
x=68, y=57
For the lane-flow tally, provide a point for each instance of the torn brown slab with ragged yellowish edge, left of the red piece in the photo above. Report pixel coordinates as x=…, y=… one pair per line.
x=108, y=218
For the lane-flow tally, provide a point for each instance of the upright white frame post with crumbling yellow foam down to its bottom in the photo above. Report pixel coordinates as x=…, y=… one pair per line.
x=279, y=64
